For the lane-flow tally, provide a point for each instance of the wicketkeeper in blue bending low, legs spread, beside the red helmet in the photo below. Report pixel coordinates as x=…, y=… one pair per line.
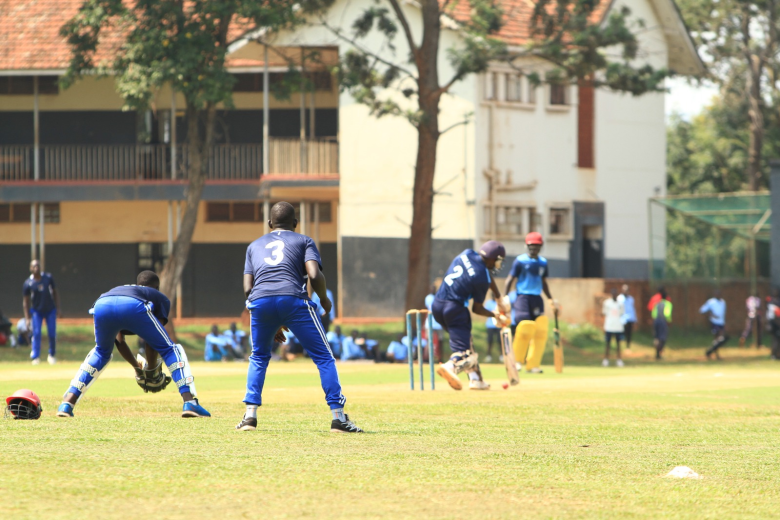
x=133, y=309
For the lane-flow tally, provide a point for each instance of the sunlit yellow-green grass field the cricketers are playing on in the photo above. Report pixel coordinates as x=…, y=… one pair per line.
x=592, y=442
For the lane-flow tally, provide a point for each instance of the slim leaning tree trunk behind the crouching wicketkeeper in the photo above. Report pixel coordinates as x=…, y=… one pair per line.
x=198, y=151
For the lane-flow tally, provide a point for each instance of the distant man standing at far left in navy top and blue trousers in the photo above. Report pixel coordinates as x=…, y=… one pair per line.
x=41, y=301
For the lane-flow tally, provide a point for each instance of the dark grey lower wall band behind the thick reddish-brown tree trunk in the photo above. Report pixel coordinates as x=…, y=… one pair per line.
x=375, y=272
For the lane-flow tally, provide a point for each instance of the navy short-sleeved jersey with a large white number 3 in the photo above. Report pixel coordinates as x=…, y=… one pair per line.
x=277, y=261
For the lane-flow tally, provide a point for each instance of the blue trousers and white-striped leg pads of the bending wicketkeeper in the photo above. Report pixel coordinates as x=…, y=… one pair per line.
x=116, y=313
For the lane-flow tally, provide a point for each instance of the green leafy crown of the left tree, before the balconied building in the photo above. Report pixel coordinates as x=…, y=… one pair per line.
x=183, y=44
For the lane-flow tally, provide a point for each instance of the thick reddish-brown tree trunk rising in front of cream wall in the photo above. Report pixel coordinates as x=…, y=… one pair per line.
x=420, y=241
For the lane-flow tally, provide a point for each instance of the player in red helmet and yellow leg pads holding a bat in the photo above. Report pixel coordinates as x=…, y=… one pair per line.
x=528, y=278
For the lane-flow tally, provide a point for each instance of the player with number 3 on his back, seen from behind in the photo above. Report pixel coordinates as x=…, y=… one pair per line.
x=275, y=279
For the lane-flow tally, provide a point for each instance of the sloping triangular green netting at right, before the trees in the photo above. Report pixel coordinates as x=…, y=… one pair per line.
x=746, y=214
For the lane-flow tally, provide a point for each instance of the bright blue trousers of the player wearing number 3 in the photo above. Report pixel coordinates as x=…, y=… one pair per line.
x=300, y=316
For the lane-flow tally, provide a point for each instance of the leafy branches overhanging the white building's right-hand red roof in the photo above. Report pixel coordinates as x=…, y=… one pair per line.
x=568, y=34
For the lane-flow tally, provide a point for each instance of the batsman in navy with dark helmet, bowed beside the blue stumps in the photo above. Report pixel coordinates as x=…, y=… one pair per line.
x=468, y=278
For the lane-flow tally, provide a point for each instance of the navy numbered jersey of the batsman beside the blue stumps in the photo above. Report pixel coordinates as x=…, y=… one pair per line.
x=466, y=278
